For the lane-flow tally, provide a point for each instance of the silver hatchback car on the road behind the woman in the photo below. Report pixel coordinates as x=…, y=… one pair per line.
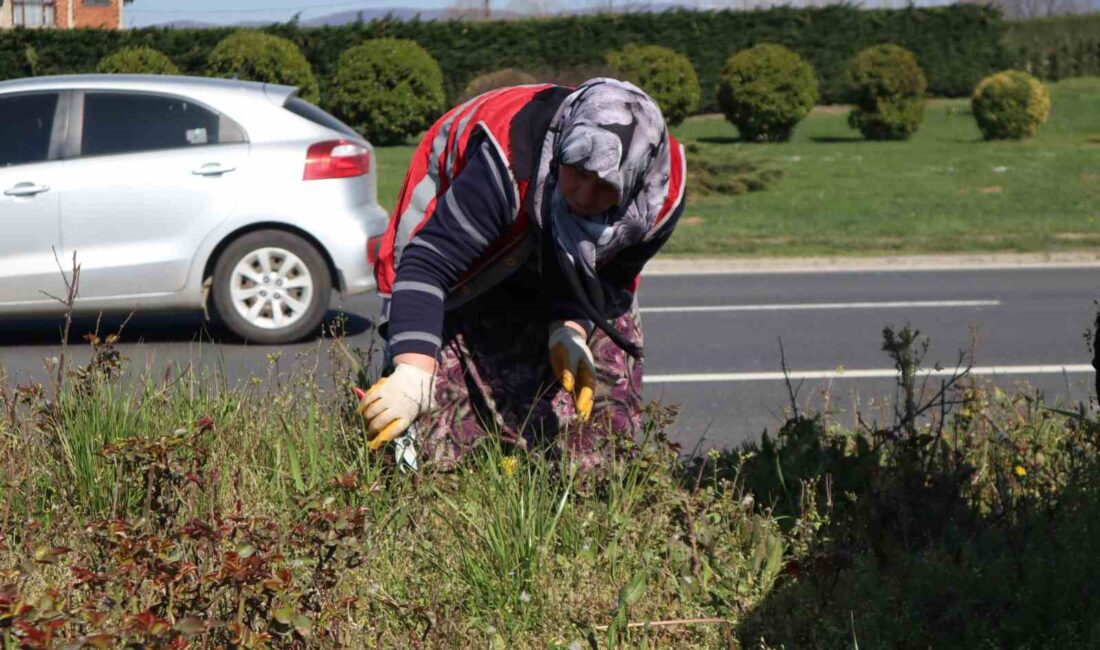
x=179, y=193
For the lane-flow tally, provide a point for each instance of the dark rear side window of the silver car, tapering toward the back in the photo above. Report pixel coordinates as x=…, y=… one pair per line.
x=129, y=123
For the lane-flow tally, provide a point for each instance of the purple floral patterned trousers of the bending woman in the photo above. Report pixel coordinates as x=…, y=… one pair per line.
x=494, y=379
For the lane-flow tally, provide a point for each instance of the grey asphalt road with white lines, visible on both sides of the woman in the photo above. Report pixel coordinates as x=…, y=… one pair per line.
x=713, y=341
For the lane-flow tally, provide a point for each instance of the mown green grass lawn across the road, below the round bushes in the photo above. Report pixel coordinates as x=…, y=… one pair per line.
x=945, y=191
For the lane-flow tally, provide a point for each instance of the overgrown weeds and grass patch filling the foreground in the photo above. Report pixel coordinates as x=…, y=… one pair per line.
x=181, y=512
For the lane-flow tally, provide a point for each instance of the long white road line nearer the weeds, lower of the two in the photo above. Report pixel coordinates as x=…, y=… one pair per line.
x=865, y=374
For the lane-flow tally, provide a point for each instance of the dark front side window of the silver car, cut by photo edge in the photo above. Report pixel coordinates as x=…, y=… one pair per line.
x=28, y=125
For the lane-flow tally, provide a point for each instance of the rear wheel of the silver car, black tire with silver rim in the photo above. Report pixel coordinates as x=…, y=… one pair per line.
x=271, y=288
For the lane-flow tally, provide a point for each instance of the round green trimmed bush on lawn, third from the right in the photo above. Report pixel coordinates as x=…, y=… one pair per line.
x=766, y=92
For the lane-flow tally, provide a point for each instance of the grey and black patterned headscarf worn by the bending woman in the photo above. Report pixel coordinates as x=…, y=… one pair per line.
x=617, y=131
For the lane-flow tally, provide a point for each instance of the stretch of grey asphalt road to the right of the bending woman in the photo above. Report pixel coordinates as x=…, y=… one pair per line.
x=826, y=321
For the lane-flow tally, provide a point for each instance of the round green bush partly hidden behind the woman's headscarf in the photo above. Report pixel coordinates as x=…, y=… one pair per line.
x=664, y=74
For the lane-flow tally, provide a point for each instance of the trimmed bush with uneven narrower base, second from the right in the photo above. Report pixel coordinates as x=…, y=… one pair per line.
x=888, y=92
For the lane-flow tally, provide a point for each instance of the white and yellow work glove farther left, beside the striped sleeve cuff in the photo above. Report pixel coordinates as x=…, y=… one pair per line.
x=394, y=403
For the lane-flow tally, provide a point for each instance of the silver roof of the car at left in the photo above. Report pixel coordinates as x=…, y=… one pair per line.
x=152, y=83
